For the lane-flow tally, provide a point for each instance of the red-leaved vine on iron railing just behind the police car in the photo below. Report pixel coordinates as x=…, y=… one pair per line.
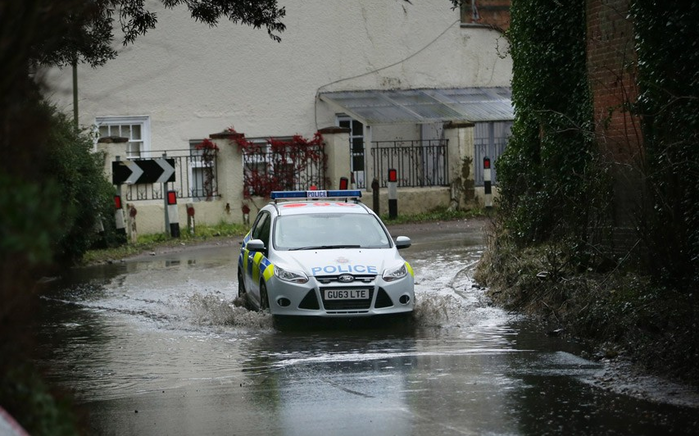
x=280, y=164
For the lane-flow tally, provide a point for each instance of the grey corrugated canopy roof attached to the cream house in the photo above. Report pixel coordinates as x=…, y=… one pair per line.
x=424, y=106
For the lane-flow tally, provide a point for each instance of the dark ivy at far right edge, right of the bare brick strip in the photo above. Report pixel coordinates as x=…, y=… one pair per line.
x=667, y=45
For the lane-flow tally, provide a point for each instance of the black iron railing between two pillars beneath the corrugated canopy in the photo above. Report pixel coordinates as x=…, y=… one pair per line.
x=420, y=163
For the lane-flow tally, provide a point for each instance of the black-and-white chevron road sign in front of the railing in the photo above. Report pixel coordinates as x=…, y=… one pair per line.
x=133, y=172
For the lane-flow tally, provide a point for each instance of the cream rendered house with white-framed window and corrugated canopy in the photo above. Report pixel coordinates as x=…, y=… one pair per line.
x=388, y=70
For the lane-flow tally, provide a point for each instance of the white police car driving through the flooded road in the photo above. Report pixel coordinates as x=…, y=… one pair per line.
x=323, y=253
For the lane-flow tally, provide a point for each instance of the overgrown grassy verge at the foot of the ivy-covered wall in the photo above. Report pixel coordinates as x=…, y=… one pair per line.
x=614, y=311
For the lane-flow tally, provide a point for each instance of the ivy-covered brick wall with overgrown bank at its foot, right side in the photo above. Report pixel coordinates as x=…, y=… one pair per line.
x=553, y=253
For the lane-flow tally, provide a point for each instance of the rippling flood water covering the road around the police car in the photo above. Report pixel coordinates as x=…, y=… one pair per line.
x=156, y=346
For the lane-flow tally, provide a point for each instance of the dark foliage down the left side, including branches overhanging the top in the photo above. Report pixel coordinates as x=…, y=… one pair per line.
x=52, y=191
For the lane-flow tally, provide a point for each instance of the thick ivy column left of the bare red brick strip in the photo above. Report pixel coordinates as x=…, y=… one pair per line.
x=546, y=176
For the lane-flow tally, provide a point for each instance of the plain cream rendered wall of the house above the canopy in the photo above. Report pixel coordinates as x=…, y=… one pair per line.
x=193, y=80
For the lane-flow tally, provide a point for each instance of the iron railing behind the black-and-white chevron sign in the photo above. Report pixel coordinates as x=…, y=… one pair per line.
x=195, y=178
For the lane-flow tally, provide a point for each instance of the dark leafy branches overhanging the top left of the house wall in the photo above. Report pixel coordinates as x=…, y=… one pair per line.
x=63, y=32
